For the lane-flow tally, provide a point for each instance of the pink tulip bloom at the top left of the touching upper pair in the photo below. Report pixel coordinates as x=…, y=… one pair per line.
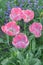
x=16, y=14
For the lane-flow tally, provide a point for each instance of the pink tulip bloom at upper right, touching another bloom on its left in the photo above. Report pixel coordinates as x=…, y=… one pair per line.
x=27, y=15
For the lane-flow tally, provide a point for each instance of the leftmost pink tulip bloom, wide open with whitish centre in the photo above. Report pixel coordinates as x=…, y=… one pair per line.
x=11, y=28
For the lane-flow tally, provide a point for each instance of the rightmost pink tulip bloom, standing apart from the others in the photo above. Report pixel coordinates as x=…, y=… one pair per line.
x=36, y=29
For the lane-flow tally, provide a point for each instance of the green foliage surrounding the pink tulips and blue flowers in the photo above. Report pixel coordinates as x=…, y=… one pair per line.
x=33, y=54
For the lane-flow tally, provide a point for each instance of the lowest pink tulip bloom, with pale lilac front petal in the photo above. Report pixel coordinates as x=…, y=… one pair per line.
x=20, y=41
